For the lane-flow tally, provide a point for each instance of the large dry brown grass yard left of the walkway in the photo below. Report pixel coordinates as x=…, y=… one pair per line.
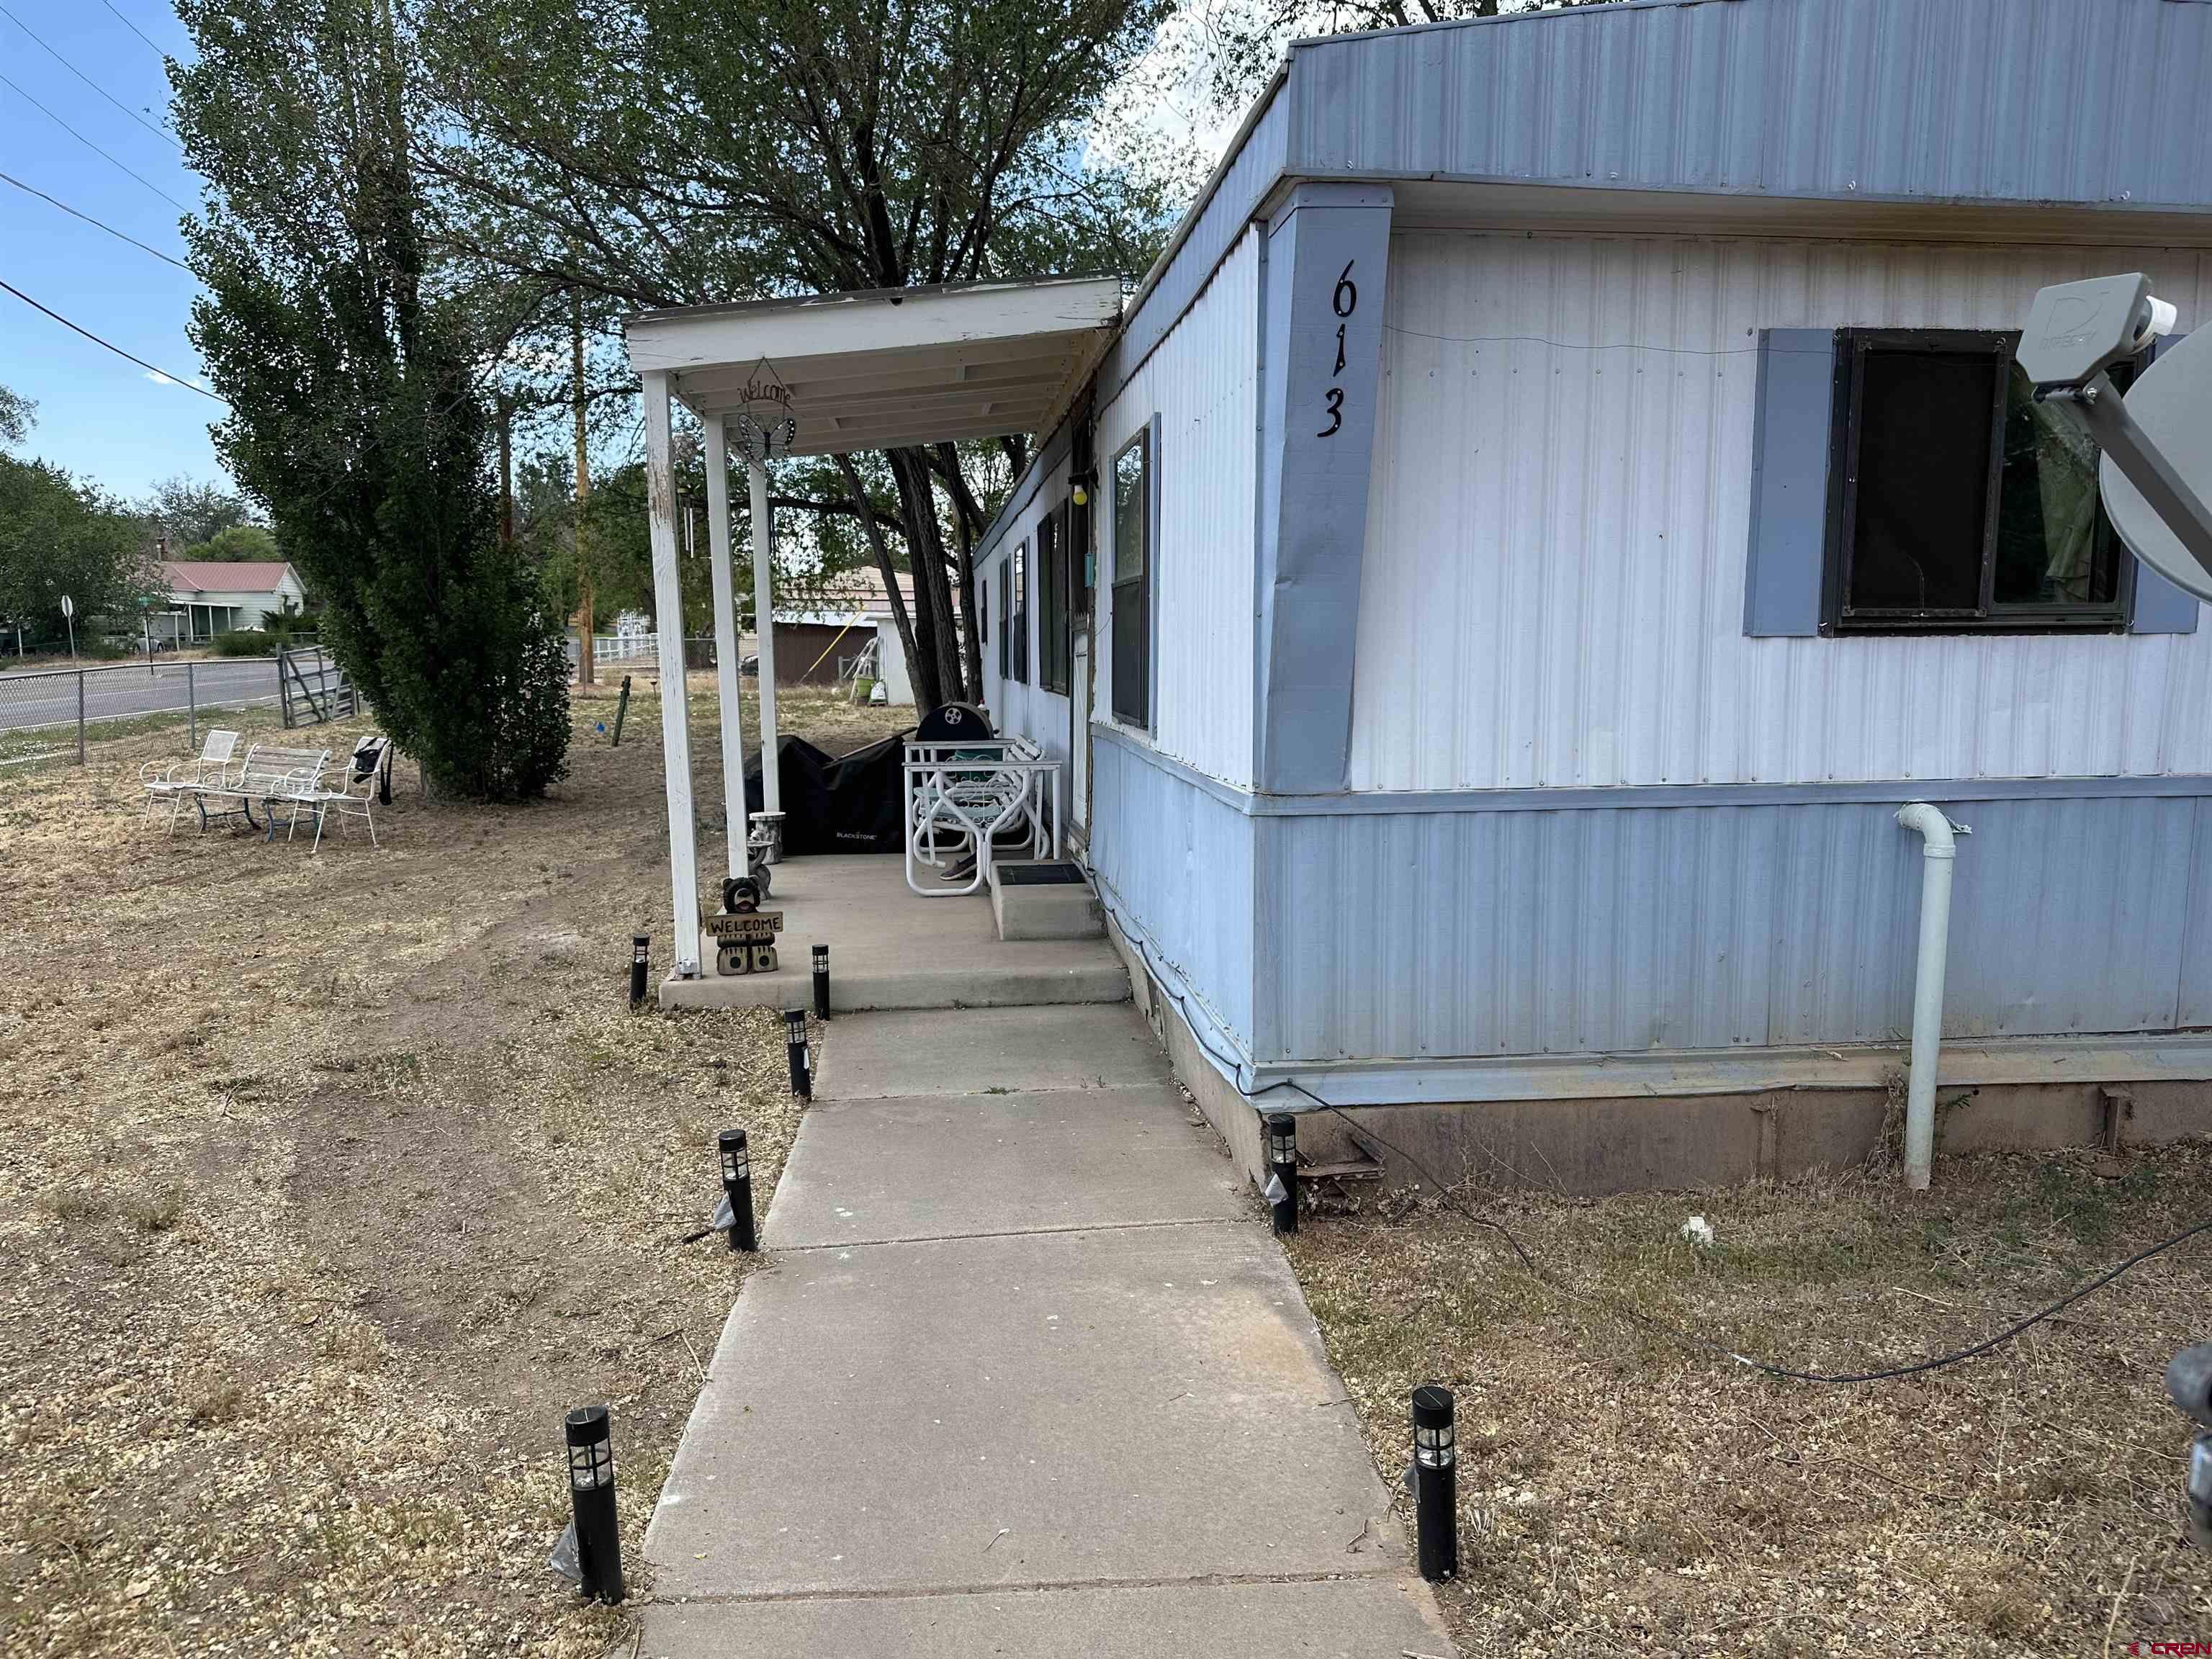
x=328, y=1185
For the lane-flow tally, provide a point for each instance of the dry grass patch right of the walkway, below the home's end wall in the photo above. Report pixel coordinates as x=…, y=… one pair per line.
x=1623, y=1494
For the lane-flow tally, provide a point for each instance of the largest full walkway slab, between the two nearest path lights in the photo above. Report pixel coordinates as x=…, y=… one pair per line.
x=1036, y=1410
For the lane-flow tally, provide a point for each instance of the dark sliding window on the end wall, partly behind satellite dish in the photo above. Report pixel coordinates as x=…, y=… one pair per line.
x=1957, y=501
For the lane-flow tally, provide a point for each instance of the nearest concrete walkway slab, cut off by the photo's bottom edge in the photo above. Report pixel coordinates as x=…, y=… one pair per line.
x=1361, y=1618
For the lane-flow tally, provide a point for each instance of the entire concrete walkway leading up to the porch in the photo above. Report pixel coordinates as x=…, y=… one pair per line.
x=1027, y=1375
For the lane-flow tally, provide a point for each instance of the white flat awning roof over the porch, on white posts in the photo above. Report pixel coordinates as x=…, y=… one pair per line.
x=895, y=366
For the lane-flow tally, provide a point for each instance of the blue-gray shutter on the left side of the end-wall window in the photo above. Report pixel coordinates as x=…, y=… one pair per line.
x=1791, y=444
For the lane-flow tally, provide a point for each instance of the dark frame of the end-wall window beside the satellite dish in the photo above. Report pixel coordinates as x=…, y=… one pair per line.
x=1987, y=616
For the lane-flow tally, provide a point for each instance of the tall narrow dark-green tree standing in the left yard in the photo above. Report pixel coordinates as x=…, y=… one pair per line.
x=357, y=382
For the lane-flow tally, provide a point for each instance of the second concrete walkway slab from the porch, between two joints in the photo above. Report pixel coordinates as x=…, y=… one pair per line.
x=948, y=1167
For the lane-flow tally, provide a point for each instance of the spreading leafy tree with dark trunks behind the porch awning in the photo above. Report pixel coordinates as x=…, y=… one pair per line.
x=665, y=152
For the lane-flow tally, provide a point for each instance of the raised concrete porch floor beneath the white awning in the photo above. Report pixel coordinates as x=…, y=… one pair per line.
x=895, y=950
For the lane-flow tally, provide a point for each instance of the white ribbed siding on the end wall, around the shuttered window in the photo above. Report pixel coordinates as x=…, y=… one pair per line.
x=1554, y=570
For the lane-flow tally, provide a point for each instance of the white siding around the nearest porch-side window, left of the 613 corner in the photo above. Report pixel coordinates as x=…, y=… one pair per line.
x=1204, y=384
